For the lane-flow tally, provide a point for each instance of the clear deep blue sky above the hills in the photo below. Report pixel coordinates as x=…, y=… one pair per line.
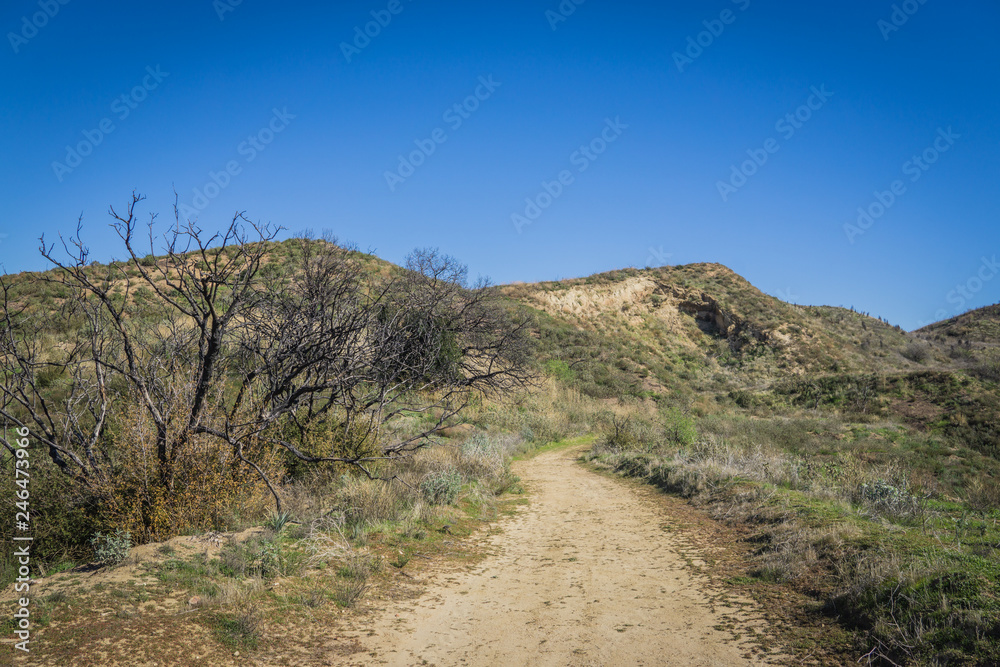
x=677, y=128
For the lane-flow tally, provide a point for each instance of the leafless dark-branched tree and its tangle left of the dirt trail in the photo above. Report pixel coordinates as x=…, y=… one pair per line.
x=217, y=339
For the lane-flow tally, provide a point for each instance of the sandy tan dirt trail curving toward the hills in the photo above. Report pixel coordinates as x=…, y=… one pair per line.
x=589, y=574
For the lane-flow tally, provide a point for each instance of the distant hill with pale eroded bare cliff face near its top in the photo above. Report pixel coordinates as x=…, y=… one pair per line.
x=661, y=325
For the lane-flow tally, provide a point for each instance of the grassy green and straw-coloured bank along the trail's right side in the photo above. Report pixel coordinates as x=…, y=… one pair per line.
x=911, y=569
